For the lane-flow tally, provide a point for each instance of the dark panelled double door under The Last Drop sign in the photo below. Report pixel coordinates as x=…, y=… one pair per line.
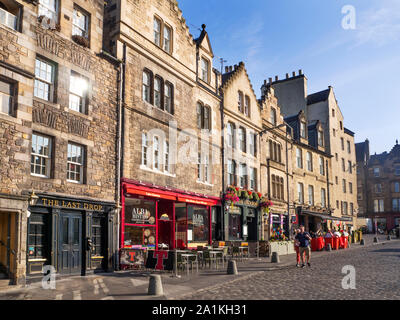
x=70, y=243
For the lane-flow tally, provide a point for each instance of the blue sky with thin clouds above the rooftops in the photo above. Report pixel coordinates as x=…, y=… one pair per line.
x=276, y=37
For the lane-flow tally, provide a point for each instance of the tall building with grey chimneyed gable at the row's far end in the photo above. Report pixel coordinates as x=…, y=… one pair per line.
x=339, y=141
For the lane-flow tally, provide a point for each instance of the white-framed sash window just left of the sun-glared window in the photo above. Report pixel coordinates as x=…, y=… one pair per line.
x=44, y=79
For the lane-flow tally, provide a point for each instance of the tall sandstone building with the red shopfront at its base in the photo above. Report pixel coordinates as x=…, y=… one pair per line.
x=171, y=171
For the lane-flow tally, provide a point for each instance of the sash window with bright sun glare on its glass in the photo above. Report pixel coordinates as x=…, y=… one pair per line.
x=78, y=88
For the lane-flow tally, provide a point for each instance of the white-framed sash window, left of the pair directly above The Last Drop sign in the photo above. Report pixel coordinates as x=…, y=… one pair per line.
x=41, y=155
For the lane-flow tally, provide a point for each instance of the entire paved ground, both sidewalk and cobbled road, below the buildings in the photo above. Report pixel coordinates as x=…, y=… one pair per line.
x=376, y=266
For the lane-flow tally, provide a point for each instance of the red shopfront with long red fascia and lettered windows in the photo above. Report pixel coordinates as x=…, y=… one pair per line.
x=158, y=218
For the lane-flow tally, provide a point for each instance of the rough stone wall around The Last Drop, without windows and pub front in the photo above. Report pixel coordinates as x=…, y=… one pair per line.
x=37, y=37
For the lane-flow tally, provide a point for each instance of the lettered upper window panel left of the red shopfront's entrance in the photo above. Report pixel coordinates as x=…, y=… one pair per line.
x=139, y=211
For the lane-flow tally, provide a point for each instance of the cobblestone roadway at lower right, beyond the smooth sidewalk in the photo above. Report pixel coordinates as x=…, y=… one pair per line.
x=377, y=277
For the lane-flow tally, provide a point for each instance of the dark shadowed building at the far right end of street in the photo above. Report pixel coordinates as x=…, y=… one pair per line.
x=380, y=189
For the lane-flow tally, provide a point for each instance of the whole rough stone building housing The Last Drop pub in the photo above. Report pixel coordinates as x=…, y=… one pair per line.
x=57, y=134
